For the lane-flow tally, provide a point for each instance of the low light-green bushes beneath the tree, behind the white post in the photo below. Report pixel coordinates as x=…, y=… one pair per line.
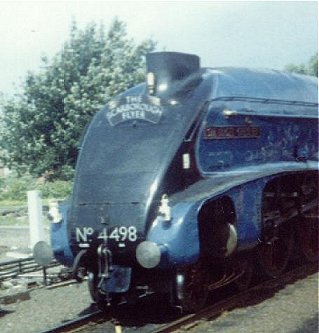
x=14, y=189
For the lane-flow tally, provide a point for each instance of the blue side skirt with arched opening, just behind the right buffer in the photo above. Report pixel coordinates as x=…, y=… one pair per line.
x=179, y=237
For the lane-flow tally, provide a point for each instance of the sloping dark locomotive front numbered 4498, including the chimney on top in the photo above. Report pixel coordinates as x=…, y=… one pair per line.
x=132, y=155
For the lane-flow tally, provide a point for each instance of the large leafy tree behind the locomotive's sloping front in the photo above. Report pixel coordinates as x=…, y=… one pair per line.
x=41, y=127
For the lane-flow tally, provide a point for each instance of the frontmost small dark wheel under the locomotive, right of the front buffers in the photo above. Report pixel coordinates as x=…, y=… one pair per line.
x=192, y=288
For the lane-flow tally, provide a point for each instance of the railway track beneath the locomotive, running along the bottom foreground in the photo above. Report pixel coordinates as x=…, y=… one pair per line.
x=122, y=320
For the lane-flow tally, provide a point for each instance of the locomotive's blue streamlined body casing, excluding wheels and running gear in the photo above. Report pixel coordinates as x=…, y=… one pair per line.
x=155, y=158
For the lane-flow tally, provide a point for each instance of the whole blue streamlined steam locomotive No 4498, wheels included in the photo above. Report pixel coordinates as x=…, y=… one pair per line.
x=189, y=181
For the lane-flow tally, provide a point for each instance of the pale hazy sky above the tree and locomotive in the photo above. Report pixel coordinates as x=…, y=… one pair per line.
x=269, y=34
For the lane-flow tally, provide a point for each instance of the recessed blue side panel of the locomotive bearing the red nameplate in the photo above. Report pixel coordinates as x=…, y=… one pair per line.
x=230, y=141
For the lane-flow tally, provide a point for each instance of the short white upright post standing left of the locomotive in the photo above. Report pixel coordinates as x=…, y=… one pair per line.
x=35, y=217
